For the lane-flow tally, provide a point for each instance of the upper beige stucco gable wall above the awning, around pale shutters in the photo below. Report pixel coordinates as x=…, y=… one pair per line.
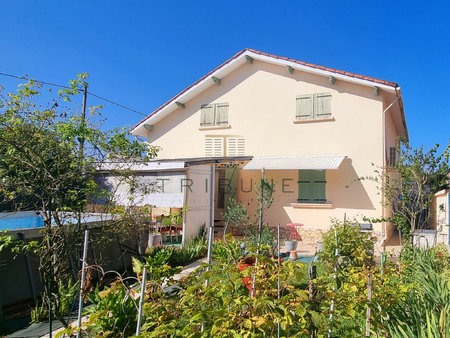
x=262, y=109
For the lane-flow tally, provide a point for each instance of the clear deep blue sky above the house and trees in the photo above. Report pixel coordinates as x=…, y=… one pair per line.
x=141, y=53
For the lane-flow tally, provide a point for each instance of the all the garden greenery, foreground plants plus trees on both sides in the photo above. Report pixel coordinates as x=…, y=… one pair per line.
x=244, y=286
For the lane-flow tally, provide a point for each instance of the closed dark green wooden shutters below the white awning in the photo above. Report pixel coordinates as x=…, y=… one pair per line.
x=311, y=186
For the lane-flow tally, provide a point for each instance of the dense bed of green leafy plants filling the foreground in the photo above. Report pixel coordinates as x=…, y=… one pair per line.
x=248, y=294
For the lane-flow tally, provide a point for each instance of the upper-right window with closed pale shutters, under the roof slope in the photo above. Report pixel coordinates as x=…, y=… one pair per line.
x=313, y=106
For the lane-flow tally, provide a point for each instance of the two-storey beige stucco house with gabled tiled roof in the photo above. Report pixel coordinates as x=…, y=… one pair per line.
x=314, y=130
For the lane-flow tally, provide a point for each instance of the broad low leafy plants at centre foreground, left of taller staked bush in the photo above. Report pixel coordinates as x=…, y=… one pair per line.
x=225, y=308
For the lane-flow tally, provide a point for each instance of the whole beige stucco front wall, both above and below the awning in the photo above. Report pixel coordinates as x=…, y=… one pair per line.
x=262, y=107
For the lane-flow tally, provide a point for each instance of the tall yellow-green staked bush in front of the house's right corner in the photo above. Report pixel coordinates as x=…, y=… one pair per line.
x=354, y=264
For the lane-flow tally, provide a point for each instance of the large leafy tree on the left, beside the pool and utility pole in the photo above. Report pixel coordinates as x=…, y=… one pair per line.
x=49, y=156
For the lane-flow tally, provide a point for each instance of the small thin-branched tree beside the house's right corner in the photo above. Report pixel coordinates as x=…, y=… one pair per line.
x=410, y=189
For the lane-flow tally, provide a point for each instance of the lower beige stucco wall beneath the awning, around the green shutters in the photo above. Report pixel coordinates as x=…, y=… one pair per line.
x=346, y=194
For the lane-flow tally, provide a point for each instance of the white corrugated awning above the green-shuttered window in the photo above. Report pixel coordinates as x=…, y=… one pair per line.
x=315, y=162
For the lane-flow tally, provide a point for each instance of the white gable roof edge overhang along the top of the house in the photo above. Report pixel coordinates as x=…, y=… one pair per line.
x=236, y=61
